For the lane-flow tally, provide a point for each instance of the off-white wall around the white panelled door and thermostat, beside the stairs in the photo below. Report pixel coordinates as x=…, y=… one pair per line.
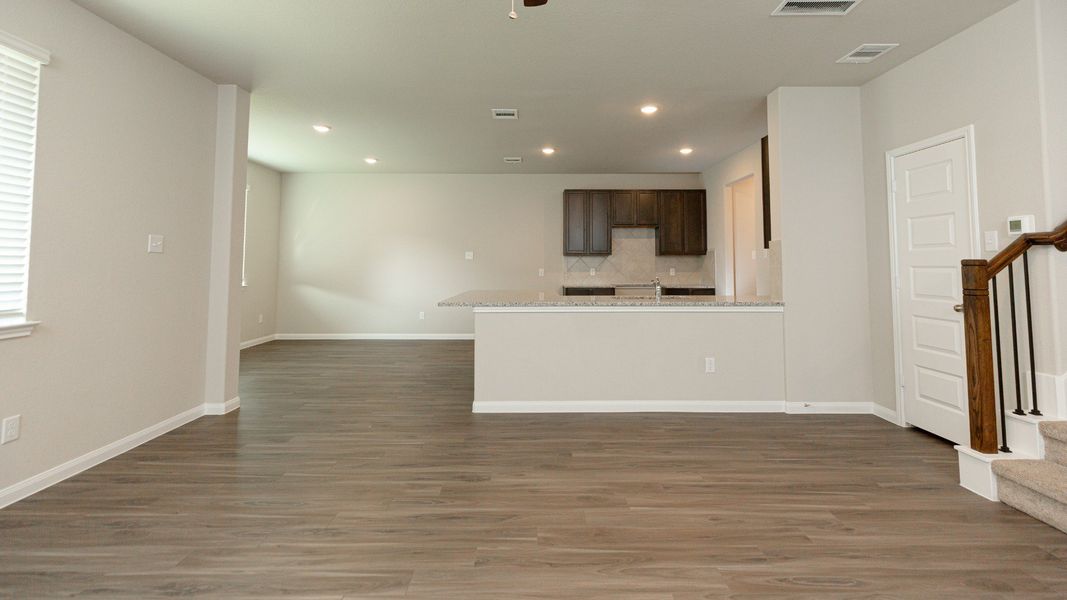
x=988, y=76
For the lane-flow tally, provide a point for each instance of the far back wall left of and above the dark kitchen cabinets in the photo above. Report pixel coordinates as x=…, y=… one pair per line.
x=367, y=254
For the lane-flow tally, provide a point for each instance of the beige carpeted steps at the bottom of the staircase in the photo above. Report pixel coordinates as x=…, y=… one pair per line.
x=1039, y=487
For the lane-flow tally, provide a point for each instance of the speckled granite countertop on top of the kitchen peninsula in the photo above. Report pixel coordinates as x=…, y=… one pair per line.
x=504, y=299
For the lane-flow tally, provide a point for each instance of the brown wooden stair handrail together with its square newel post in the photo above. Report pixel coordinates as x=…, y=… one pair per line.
x=978, y=274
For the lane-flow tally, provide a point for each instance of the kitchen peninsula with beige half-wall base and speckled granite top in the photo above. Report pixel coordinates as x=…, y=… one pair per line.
x=543, y=352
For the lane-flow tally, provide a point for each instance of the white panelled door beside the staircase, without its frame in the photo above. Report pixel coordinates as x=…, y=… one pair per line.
x=934, y=233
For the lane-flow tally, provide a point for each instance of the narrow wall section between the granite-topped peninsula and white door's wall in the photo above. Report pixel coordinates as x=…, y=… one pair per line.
x=820, y=187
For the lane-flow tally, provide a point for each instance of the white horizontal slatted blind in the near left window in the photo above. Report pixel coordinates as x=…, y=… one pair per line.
x=20, y=80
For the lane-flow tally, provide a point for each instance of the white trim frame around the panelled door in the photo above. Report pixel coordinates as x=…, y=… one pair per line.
x=967, y=135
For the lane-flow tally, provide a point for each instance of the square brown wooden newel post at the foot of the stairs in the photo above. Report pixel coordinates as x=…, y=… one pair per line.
x=980, y=357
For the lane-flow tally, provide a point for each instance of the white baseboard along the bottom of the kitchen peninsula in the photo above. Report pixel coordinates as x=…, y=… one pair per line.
x=625, y=406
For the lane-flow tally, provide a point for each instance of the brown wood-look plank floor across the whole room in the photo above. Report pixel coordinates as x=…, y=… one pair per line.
x=356, y=470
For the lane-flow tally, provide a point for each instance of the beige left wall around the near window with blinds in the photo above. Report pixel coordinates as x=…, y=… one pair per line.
x=126, y=148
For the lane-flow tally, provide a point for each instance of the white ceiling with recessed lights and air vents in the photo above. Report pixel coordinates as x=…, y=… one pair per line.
x=412, y=82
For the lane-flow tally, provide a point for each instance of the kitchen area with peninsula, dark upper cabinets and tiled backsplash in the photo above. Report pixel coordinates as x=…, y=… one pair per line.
x=635, y=325
